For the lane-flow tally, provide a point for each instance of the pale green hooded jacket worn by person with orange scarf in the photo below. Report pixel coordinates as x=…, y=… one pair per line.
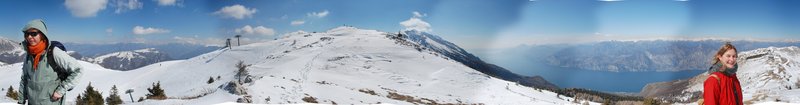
x=37, y=86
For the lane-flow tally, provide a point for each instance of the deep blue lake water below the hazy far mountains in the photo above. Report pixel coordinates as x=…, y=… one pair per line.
x=628, y=82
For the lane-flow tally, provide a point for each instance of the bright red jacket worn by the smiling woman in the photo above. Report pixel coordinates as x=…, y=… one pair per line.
x=726, y=91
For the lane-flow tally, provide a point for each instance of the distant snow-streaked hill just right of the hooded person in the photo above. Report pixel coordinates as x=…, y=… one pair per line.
x=127, y=60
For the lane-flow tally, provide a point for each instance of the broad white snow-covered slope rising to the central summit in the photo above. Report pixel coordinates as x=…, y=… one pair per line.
x=344, y=65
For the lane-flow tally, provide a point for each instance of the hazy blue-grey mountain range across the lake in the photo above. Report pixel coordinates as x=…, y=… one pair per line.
x=626, y=56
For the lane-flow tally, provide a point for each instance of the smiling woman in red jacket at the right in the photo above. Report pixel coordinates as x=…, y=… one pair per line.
x=722, y=86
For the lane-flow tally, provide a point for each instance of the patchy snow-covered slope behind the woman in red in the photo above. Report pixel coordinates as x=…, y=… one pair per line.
x=766, y=74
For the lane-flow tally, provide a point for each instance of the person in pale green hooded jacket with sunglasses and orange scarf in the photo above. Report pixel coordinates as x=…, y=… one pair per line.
x=40, y=84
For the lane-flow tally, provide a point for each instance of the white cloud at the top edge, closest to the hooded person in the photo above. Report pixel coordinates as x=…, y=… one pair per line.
x=85, y=8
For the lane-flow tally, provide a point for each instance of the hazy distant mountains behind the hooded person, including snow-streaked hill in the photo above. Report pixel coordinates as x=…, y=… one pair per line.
x=119, y=56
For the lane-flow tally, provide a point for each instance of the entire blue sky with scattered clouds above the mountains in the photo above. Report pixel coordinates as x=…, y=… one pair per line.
x=473, y=24
